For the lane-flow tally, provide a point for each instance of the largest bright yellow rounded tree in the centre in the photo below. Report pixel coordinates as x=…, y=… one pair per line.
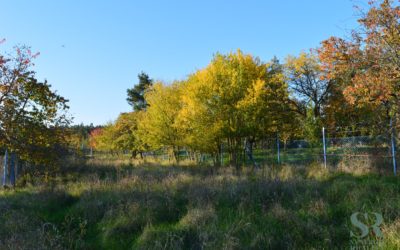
x=235, y=97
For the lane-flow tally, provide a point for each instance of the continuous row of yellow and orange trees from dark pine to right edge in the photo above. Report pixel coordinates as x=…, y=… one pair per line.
x=344, y=85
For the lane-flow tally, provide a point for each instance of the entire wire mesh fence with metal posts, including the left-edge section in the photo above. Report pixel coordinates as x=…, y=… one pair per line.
x=367, y=152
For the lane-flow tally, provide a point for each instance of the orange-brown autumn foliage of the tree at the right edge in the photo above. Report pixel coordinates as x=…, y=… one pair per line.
x=369, y=62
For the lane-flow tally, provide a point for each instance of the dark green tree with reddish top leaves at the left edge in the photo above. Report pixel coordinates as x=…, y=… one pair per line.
x=31, y=114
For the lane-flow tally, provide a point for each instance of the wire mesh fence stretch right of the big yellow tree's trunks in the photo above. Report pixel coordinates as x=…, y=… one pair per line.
x=362, y=151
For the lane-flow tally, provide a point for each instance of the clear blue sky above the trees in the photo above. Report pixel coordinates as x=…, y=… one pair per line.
x=91, y=51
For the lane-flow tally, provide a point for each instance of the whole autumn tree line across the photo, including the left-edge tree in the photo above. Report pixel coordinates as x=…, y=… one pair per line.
x=343, y=85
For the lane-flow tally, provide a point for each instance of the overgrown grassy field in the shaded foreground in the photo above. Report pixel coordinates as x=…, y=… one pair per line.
x=118, y=205
